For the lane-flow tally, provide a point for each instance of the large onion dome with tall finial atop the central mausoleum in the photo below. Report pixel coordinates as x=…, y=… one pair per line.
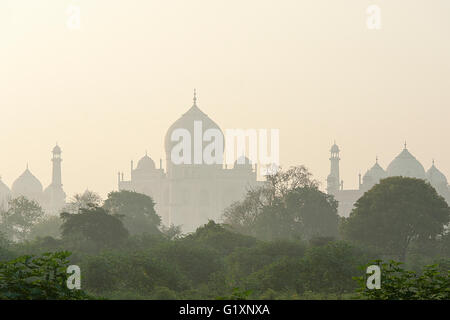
x=186, y=121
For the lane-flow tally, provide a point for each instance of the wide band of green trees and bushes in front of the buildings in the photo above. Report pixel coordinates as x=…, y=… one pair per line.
x=284, y=240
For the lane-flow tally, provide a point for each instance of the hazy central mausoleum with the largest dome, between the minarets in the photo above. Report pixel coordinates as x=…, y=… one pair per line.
x=190, y=194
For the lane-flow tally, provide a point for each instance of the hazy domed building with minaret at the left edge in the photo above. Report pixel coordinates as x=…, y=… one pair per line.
x=52, y=200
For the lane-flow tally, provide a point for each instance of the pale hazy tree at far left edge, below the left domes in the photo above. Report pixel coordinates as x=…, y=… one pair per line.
x=19, y=219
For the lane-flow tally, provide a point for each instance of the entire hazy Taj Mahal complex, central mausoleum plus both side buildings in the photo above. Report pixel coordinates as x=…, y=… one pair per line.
x=189, y=195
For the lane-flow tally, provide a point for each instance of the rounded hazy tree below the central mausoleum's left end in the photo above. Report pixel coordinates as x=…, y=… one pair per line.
x=137, y=209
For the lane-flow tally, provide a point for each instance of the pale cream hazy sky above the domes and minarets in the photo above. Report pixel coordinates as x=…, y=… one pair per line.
x=109, y=91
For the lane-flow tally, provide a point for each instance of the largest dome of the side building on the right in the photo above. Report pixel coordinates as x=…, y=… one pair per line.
x=406, y=165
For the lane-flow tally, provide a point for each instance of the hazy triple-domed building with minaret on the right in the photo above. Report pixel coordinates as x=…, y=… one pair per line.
x=405, y=164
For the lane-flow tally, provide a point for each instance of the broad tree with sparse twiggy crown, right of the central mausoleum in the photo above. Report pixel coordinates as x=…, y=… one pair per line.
x=288, y=206
